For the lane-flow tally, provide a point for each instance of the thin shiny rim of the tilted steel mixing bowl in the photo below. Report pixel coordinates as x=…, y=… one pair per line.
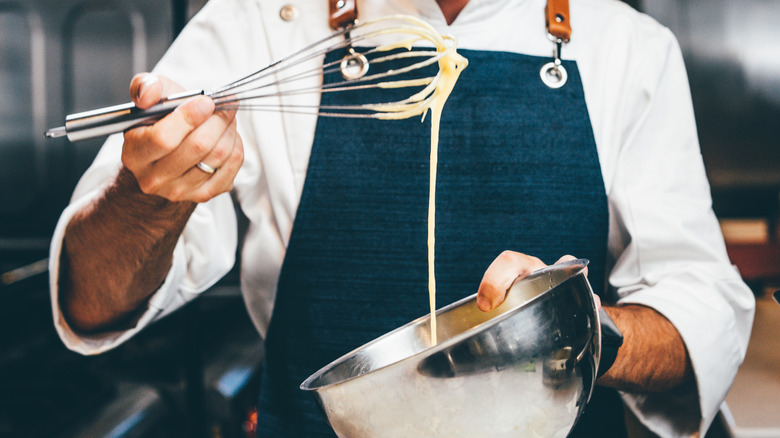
x=581, y=263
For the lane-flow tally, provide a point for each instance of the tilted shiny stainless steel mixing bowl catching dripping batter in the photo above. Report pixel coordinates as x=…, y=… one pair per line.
x=525, y=369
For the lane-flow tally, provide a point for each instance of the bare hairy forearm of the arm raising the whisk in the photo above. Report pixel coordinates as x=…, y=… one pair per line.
x=116, y=253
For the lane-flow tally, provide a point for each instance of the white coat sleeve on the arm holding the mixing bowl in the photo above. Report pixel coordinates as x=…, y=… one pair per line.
x=667, y=247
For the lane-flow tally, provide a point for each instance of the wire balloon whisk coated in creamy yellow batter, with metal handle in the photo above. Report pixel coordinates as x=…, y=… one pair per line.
x=416, y=58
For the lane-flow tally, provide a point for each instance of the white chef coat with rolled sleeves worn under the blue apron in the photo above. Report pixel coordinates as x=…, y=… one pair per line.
x=665, y=247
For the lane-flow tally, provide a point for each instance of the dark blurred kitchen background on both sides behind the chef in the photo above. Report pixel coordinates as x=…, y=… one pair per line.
x=195, y=374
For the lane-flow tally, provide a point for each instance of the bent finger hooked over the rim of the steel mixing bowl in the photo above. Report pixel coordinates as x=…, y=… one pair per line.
x=500, y=275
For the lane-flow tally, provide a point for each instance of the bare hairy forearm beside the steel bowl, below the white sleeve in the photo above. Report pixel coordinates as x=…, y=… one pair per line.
x=653, y=357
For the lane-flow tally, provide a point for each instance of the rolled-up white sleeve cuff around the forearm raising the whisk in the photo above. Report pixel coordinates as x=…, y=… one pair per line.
x=203, y=254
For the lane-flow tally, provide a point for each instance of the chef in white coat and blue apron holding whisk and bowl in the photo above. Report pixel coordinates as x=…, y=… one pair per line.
x=600, y=162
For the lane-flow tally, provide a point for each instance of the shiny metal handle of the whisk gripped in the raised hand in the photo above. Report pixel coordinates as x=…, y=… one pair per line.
x=118, y=118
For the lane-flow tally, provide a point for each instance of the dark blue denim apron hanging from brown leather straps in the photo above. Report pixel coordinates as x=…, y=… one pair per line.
x=518, y=169
